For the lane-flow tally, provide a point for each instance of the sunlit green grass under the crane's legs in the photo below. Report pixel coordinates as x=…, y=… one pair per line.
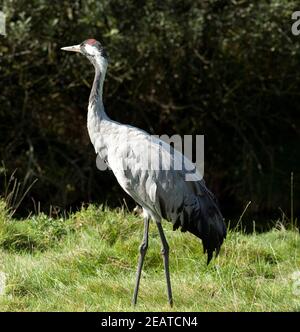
x=88, y=263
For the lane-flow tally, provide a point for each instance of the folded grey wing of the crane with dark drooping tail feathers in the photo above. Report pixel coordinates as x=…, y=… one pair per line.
x=145, y=168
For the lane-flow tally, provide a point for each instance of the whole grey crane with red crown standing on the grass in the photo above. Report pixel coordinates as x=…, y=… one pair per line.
x=160, y=189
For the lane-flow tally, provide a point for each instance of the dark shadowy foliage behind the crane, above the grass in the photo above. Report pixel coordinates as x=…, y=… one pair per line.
x=225, y=69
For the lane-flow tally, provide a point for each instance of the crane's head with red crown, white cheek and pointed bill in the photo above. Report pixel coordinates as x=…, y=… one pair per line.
x=91, y=48
